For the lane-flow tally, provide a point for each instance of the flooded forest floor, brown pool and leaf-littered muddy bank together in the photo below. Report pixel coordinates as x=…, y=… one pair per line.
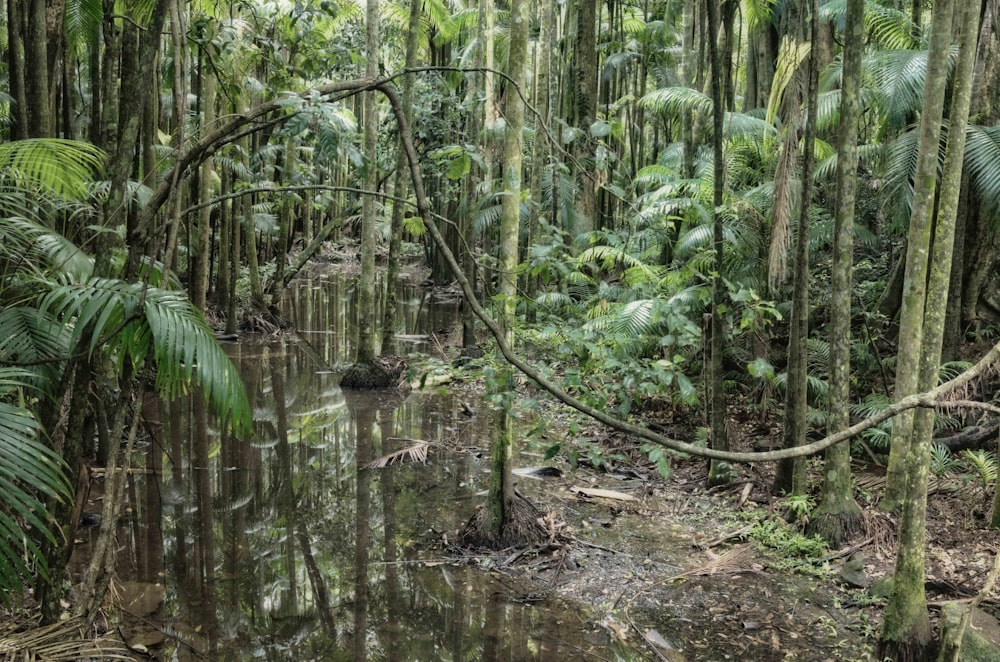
x=304, y=542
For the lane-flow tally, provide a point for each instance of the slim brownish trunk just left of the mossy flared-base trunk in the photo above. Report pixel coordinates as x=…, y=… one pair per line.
x=791, y=475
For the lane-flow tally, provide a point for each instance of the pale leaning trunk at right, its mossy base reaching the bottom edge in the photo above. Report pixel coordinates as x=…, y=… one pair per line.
x=906, y=632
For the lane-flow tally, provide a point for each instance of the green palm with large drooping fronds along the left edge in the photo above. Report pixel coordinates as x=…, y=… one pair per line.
x=53, y=314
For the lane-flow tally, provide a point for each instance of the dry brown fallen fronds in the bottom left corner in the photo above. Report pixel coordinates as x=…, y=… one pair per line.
x=64, y=640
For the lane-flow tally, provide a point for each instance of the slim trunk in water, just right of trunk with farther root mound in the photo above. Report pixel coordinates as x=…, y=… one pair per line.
x=396, y=237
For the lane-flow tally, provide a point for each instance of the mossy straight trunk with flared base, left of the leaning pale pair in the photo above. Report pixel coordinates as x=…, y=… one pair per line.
x=838, y=516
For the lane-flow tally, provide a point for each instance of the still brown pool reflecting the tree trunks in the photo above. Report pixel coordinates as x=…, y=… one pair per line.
x=284, y=546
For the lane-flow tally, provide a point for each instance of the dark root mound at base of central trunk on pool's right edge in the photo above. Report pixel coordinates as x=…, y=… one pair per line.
x=525, y=525
